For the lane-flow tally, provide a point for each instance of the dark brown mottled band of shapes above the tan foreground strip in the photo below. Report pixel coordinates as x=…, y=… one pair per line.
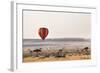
x=59, y=53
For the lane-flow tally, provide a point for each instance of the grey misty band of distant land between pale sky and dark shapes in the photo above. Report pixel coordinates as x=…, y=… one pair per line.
x=74, y=43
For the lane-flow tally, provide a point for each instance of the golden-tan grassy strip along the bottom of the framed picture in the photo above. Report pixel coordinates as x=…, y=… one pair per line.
x=66, y=58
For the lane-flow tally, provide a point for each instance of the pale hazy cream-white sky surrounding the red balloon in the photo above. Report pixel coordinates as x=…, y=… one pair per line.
x=60, y=25
